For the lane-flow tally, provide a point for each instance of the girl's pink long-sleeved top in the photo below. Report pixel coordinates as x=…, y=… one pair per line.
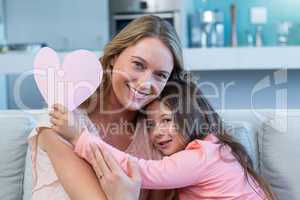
x=201, y=171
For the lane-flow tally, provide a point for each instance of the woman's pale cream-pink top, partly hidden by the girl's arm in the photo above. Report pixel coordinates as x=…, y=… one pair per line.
x=45, y=184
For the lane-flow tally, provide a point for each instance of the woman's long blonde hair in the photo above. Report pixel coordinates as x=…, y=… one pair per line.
x=146, y=26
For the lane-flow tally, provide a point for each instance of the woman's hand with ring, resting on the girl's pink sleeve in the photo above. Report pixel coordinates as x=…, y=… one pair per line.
x=115, y=183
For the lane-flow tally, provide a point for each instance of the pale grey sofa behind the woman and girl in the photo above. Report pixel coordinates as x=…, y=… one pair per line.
x=270, y=137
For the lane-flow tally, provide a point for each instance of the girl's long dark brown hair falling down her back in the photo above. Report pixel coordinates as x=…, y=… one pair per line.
x=195, y=119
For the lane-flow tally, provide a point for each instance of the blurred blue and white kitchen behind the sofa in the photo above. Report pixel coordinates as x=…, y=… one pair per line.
x=244, y=53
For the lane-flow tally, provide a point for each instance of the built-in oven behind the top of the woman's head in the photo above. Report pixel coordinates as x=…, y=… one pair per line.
x=124, y=11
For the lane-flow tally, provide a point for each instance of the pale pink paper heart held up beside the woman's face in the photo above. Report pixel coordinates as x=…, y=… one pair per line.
x=68, y=84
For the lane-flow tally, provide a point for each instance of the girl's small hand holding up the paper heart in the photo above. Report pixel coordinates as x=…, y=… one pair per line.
x=65, y=123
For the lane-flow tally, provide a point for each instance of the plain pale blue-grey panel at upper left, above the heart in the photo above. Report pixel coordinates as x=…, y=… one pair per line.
x=63, y=24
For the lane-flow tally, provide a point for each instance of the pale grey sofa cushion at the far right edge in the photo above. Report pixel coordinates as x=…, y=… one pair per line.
x=279, y=148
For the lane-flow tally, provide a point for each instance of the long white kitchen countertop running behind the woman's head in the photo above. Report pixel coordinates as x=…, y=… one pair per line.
x=196, y=59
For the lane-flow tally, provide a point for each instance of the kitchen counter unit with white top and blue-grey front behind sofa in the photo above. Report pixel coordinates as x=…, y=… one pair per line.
x=235, y=70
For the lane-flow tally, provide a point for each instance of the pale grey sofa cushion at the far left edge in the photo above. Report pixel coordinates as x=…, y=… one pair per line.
x=15, y=128
